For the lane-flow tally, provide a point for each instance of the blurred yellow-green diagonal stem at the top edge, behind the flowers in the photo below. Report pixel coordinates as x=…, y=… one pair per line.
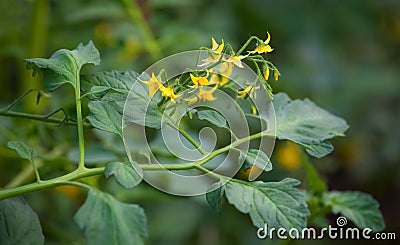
x=138, y=18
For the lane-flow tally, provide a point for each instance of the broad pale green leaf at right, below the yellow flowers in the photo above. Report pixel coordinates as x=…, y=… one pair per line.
x=307, y=124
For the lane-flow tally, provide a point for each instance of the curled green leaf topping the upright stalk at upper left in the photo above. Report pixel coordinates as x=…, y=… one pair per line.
x=64, y=65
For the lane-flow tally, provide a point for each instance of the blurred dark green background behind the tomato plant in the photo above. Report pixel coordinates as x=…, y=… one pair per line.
x=344, y=55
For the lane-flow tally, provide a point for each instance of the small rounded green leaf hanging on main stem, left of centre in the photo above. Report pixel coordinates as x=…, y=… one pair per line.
x=127, y=174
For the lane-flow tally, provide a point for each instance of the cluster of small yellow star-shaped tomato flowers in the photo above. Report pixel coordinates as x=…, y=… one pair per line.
x=218, y=68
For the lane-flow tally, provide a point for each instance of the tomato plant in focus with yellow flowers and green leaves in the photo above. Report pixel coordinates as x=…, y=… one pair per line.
x=154, y=125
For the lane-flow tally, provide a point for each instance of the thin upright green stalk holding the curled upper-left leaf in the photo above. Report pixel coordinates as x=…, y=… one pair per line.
x=79, y=120
